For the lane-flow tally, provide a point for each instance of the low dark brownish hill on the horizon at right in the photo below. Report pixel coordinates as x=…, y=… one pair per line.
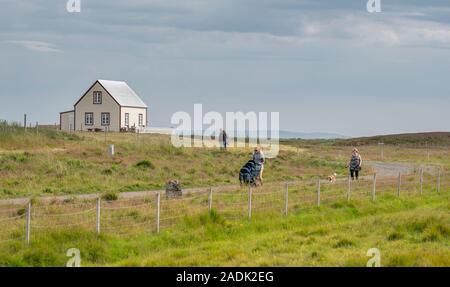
x=431, y=138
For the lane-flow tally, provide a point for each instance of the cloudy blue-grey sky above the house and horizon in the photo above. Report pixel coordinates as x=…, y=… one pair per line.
x=325, y=66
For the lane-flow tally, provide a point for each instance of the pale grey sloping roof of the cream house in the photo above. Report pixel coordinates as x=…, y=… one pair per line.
x=122, y=93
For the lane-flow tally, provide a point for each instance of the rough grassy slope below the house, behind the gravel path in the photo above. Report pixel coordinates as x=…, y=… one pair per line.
x=57, y=163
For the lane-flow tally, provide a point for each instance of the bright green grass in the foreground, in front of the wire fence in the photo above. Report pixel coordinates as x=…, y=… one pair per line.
x=409, y=232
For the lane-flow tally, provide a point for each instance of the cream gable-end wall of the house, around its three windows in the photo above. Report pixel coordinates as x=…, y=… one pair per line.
x=108, y=105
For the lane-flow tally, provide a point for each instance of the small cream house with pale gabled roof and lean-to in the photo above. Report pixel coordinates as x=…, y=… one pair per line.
x=110, y=105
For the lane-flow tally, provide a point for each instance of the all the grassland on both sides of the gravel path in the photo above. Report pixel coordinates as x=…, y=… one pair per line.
x=413, y=230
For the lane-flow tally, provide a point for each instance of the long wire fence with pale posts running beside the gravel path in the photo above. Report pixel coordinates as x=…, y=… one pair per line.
x=155, y=212
